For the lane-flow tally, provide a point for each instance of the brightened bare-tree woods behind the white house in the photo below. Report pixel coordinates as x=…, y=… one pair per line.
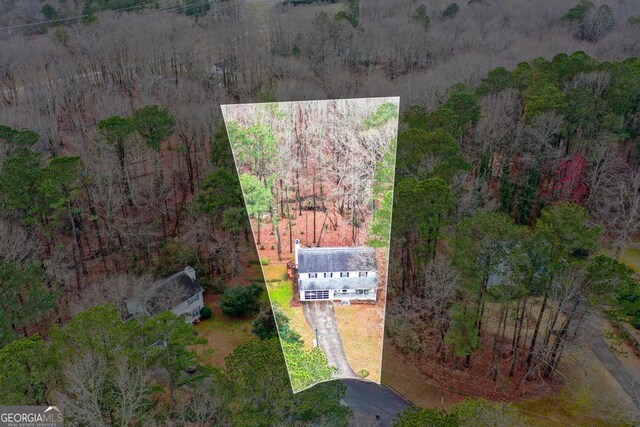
x=333, y=158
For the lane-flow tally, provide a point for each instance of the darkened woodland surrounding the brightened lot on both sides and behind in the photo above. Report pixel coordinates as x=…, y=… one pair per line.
x=115, y=164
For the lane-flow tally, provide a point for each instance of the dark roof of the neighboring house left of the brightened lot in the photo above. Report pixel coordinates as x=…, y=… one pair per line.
x=169, y=293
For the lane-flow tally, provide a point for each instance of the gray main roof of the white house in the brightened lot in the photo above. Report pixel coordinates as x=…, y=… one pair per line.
x=319, y=260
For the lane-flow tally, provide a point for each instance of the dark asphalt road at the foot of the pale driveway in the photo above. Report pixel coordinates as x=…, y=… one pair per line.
x=366, y=399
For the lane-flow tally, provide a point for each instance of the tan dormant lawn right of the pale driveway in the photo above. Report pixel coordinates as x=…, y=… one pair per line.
x=360, y=329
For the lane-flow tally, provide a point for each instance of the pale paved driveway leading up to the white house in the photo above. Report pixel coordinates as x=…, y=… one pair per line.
x=321, y=318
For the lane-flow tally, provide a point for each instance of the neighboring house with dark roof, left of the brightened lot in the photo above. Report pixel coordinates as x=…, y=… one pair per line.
x=179, y=293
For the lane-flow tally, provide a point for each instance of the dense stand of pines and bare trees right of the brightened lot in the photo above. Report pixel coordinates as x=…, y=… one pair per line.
x=532, y=177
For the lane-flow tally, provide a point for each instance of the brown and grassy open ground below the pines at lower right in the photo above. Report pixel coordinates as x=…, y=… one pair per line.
x=587, y=399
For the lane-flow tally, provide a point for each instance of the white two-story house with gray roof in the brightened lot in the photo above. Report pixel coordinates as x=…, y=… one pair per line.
x=344, y=273
